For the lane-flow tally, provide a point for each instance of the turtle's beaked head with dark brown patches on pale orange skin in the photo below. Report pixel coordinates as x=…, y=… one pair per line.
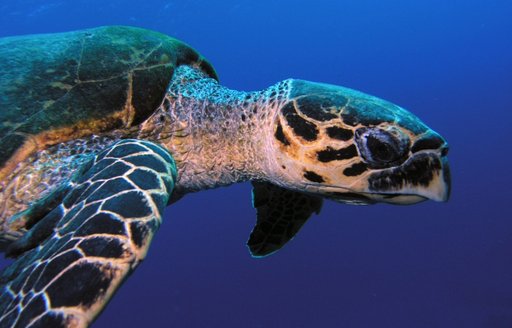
x=354, y=148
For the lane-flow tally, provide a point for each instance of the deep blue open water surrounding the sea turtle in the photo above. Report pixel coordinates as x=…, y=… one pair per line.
x=429, y=265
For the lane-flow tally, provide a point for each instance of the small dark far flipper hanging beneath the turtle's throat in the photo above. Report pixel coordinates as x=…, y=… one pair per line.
x=280, y=215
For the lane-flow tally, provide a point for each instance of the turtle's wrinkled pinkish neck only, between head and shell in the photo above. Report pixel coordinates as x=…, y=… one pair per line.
x=217, y=136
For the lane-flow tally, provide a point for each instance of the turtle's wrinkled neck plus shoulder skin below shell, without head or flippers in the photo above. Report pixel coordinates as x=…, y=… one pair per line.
x=217, y=136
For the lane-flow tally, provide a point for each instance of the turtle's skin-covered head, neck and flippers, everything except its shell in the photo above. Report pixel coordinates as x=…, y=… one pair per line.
x=314, y=140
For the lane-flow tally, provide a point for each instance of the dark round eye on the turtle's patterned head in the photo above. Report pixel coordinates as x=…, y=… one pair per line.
x=381, y=148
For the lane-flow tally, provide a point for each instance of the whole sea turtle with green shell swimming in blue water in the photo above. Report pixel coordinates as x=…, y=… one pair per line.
x=102, y=128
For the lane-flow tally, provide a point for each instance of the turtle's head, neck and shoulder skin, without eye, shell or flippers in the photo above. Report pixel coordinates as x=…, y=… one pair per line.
x=220, y=136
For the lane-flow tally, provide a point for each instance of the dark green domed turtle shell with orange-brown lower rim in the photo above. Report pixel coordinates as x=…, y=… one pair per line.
x=57, y=87
